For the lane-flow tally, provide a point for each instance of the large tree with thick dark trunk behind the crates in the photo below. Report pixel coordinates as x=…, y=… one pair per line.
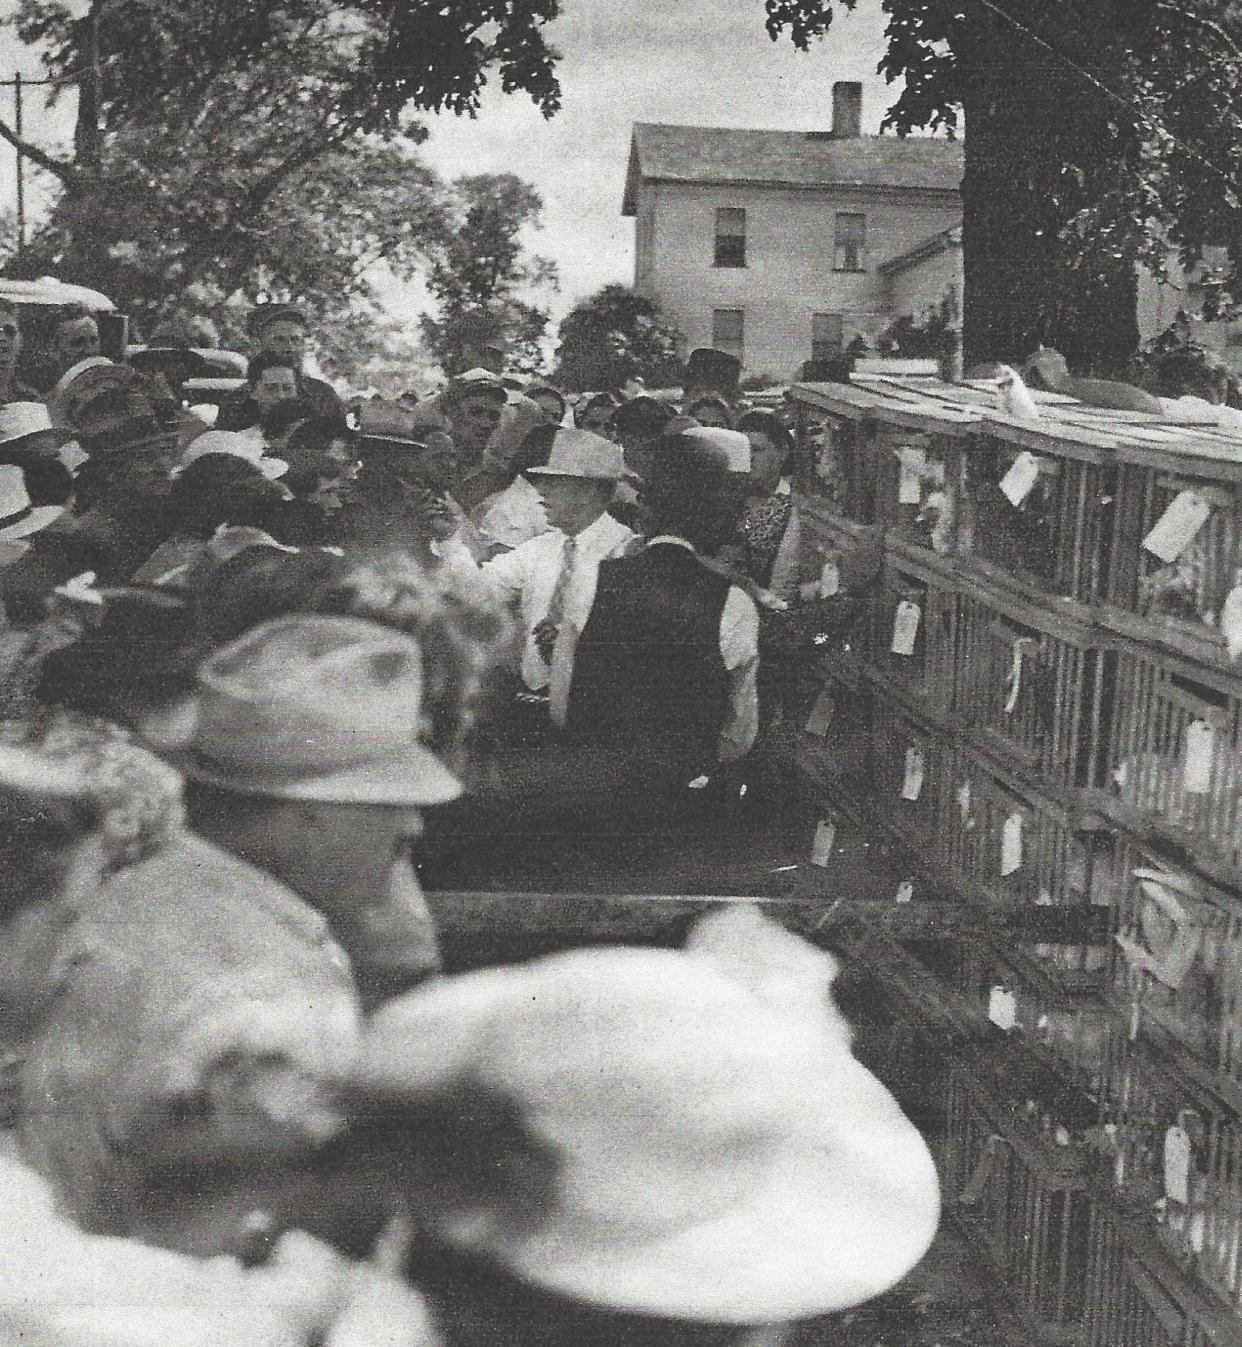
x=1101, y=133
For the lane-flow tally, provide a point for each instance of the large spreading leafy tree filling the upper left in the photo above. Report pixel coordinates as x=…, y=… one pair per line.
x=223, y=152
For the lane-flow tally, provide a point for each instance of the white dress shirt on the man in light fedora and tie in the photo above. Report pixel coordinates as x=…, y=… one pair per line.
x=529, y=576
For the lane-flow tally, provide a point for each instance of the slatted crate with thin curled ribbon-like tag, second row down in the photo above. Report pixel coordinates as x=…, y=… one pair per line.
x=1035, y=682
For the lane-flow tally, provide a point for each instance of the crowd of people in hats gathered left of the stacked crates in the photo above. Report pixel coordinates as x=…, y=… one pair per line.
x=261, y=667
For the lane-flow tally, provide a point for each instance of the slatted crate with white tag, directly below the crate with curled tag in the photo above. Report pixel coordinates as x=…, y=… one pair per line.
x=1062, y=856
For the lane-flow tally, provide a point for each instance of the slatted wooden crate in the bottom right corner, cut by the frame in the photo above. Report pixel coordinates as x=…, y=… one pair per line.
x=1138, y=1296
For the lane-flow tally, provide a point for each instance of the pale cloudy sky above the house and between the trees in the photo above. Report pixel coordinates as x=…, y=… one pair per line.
x=705, y=63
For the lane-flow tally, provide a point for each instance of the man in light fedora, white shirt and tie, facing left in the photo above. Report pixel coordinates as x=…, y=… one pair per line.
x=552, y=577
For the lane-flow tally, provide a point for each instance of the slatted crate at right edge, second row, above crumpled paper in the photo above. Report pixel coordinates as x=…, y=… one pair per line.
x=1177, y=754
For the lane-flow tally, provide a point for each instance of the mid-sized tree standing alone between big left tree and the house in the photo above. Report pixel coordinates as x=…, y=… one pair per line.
x=482, y=273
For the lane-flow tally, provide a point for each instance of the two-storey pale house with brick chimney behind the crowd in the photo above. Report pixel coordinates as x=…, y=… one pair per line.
x=781, y=246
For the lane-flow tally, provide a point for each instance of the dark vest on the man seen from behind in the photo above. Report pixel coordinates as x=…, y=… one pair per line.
x=649, y=674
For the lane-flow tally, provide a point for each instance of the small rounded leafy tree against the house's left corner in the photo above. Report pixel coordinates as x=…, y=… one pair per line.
x=614, y=337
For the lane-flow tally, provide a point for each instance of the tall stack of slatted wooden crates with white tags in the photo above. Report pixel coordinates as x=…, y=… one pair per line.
x=1053, y=678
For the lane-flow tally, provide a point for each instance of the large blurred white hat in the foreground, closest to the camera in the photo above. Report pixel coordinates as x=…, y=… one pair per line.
x=712, y=1159
